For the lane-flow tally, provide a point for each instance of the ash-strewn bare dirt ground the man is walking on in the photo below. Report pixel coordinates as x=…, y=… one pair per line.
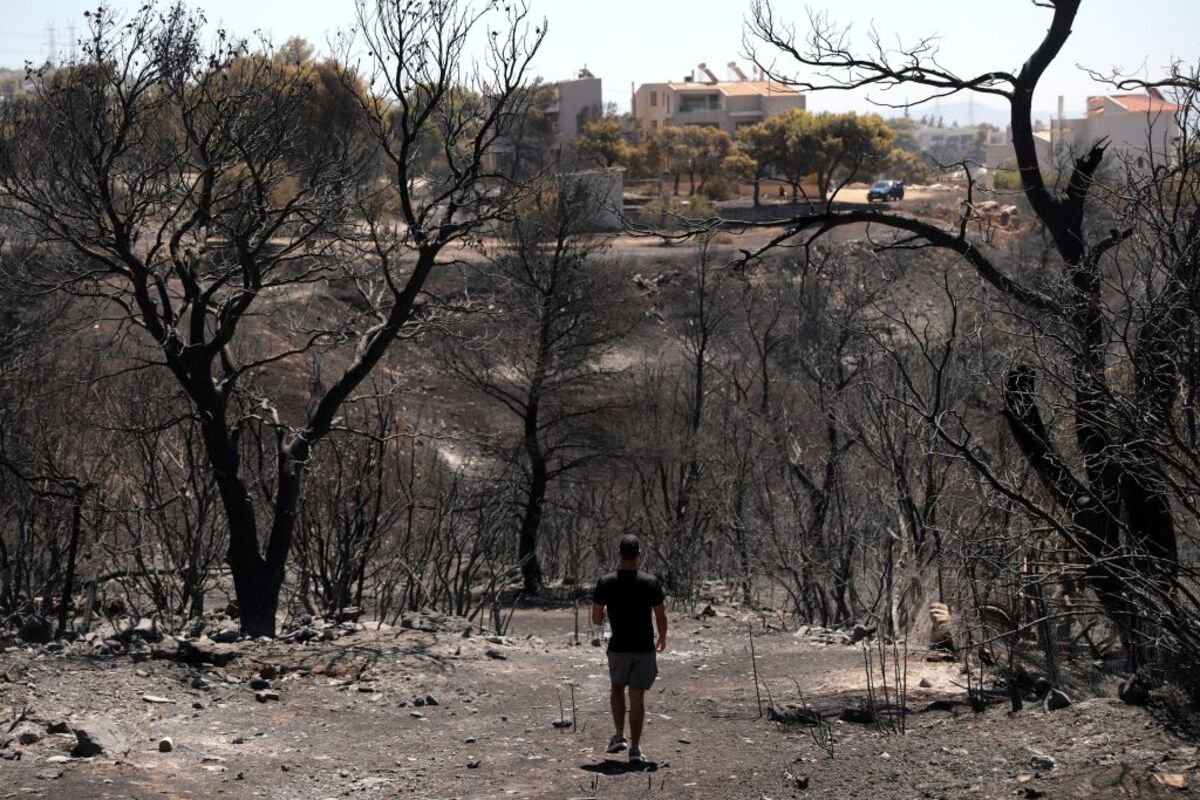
x=347, y=726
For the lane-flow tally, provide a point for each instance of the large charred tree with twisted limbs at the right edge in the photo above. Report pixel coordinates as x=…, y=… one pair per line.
x=1114, y=484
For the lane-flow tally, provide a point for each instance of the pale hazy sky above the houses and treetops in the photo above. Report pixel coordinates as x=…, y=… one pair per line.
x=625, y=41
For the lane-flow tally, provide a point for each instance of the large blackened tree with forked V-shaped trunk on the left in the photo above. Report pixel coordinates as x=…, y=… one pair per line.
x=178, y=183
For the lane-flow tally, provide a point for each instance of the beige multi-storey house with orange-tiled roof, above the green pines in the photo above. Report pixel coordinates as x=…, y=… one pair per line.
x=728, y=105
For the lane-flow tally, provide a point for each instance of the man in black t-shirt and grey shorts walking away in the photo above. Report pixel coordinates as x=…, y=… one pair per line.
x=631, y=596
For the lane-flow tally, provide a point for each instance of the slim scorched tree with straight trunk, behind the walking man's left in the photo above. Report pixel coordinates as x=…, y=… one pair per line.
x=544, y=360
